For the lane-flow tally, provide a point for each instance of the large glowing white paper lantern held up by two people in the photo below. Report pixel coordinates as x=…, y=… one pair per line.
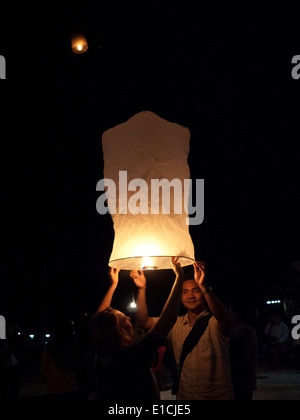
x=145, y=168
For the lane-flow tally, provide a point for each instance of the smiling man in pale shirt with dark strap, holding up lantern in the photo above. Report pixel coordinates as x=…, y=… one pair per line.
x=205, y=373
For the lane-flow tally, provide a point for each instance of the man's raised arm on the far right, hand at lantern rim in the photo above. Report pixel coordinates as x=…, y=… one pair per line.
x=215, y=305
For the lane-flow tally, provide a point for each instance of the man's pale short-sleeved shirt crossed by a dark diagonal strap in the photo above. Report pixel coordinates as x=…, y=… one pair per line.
x=206, y=373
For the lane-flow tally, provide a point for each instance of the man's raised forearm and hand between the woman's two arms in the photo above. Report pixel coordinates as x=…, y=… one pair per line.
x=142, y=317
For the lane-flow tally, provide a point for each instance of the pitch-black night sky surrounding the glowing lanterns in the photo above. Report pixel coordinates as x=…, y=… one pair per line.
x=221, y=71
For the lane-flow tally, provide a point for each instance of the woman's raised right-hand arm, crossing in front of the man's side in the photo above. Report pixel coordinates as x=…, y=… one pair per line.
x=170, y=311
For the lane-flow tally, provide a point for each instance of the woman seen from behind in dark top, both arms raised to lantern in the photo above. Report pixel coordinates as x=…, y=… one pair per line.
x=122, y=366
